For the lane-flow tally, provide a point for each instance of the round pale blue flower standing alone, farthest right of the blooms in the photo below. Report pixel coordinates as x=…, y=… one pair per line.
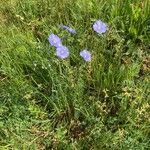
x=100, y=27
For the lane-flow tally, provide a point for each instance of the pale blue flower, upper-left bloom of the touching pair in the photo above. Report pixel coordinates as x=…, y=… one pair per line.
x=54, y=40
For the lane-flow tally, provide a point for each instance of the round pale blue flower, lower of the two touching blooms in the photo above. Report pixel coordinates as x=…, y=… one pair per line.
x=62, y=52
